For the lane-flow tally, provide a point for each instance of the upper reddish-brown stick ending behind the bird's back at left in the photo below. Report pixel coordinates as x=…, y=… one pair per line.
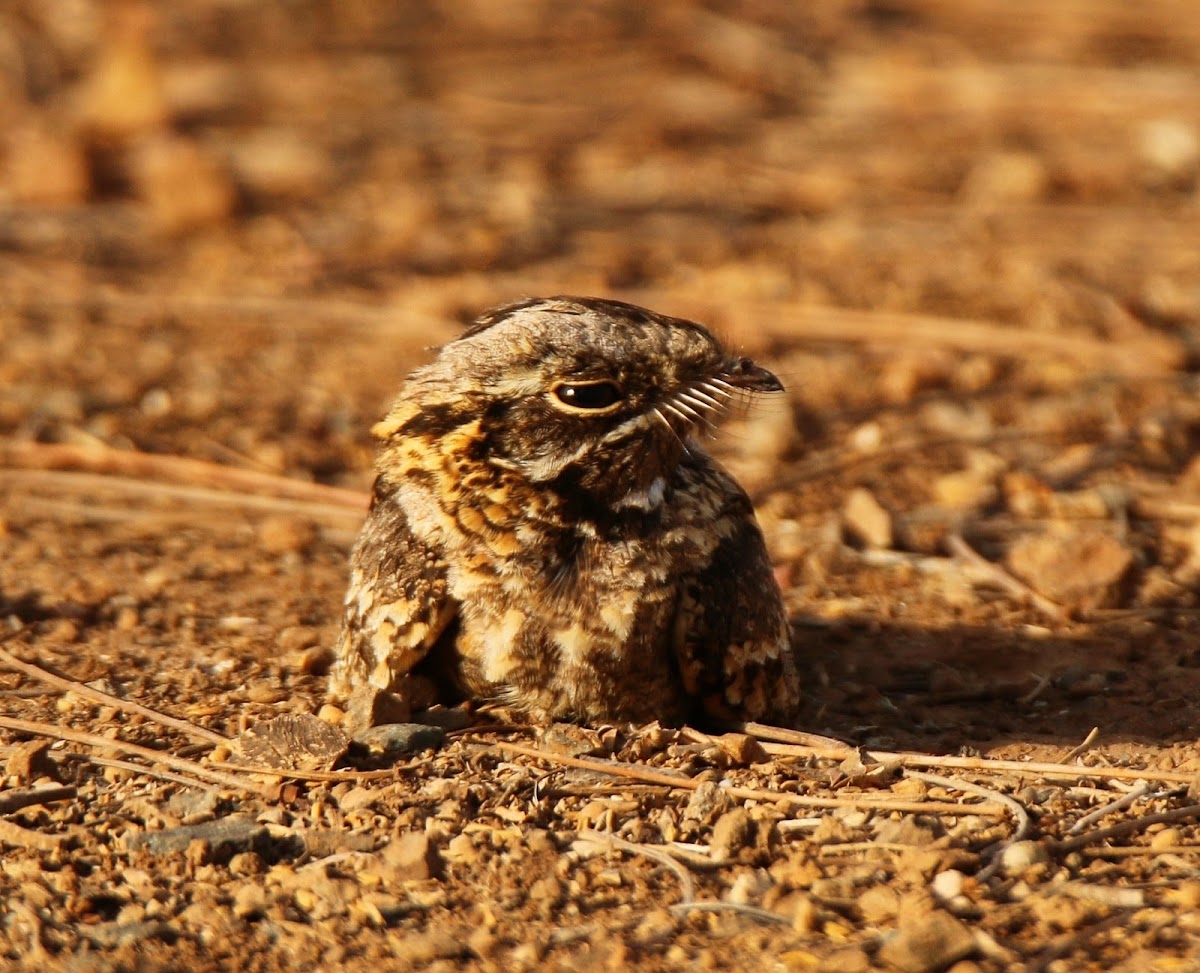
x=178, y=470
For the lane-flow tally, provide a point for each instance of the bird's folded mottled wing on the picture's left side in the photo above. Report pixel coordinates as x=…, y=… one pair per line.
x=397, y=606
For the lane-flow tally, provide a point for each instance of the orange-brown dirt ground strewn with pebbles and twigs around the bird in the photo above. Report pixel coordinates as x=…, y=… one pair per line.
x=965, y=235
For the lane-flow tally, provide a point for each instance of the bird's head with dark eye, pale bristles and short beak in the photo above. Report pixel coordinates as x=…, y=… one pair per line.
x=580, y=393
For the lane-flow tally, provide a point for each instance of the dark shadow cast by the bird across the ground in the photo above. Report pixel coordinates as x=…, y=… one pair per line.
x=970, y=689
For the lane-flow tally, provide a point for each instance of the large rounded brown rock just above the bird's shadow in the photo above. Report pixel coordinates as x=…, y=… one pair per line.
x=1078, y=568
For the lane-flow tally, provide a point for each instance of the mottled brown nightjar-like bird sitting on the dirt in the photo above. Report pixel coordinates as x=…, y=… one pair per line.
x=549, y=533
